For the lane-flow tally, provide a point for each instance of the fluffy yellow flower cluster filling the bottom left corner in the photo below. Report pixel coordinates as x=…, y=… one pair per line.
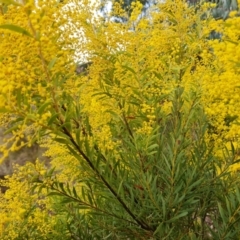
x=19, y=202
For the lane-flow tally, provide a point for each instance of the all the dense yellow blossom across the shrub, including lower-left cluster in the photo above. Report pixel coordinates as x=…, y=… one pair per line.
x=131, y=69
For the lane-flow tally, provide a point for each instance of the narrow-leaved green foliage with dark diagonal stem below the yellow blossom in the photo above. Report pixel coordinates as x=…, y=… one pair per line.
x=165, y=185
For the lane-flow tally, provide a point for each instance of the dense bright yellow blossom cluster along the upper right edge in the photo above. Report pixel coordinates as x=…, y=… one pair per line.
x=222, y=85
